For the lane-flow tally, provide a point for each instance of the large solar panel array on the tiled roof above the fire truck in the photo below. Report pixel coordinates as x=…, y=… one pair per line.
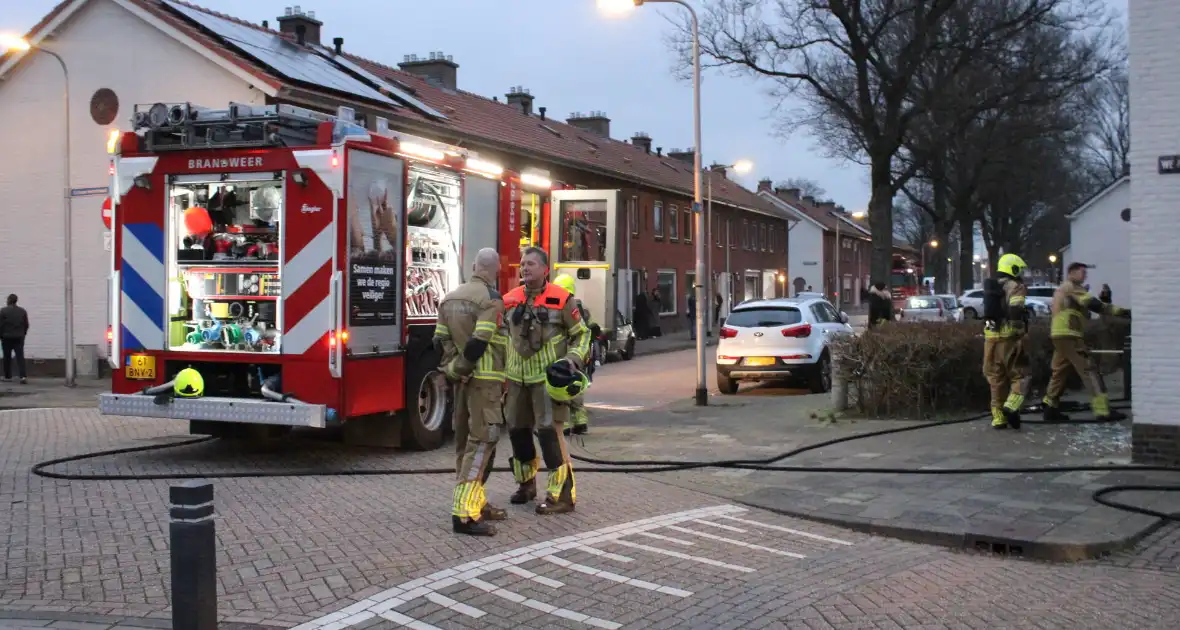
x=281, y=56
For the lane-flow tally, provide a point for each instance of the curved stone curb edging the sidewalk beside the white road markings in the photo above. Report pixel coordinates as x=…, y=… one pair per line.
x=1041, y=550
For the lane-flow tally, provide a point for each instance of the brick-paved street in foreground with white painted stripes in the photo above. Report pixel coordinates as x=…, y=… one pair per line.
x=294, y=550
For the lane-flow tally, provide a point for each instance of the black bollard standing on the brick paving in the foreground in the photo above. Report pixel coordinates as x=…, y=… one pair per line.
x=194, y=548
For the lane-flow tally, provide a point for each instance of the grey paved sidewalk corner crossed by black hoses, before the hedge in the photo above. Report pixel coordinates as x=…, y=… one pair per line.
x=1048, y=515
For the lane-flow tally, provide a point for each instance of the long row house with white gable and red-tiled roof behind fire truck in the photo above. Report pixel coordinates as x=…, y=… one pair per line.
x=127, y=52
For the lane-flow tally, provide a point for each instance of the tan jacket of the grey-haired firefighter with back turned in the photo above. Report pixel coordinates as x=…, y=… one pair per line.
x=469, y=332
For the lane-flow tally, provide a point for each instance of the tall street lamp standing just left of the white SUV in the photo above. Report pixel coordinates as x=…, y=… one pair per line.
x=625, y=6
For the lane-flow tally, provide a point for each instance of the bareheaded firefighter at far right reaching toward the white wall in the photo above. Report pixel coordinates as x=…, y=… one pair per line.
x=1071, y=304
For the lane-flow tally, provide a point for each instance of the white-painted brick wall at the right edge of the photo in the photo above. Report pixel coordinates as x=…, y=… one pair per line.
x=1155, y=215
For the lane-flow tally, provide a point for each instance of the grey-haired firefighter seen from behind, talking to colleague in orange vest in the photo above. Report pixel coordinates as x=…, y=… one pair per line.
x=474, y=353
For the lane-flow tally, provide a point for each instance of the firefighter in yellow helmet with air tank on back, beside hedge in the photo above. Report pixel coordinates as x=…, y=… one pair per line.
x=1006, y=363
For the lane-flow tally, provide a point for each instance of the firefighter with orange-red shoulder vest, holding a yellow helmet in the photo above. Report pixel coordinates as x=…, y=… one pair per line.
x=547, y=338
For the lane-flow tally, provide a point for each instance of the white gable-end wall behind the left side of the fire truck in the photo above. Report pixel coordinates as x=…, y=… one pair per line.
x=103, y=47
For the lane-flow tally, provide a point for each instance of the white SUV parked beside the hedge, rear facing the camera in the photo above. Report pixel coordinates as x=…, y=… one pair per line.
x=783, y=339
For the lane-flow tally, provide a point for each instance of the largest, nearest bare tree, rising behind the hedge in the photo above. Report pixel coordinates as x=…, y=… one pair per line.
x=855, y=63
